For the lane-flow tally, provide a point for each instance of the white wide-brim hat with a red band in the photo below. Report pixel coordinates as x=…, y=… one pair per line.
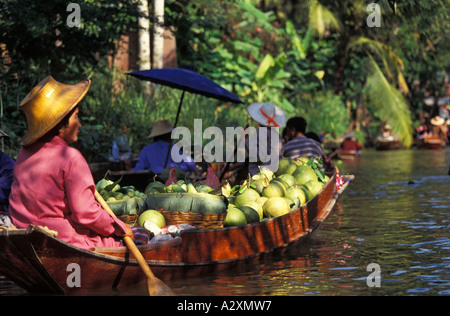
x=267, y=114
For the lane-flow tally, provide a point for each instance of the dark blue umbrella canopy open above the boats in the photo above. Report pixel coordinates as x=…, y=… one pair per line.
x=186, y=80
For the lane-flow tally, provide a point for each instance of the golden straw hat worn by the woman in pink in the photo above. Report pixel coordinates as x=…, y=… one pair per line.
x=48, y=103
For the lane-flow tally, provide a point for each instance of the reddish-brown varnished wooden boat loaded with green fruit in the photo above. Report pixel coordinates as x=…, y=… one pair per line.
x=41, y=263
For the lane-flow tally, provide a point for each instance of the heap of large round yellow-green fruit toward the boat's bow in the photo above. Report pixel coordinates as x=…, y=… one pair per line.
x=268, y=194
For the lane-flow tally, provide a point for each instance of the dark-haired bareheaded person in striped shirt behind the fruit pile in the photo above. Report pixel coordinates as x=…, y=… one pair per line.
x=298, y=144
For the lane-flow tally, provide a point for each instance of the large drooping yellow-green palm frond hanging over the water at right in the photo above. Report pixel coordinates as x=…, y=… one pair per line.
x=390, y=102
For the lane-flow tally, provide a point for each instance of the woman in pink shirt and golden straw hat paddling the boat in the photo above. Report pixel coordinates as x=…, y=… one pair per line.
x=53, y=185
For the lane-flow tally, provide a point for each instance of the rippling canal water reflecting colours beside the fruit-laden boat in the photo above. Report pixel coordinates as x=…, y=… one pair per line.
x=389, y=234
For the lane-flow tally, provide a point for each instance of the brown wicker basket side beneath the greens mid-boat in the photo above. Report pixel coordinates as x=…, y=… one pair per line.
x=199, y=220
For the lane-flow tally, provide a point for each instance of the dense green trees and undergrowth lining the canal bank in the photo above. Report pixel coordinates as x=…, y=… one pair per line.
x=325, y=60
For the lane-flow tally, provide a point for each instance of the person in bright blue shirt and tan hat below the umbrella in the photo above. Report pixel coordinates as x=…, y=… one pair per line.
x=153, y=156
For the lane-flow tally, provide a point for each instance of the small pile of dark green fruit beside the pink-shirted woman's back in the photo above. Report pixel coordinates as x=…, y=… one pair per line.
x=123, y=200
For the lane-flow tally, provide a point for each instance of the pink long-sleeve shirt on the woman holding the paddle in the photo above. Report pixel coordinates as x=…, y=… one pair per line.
x=53, y=187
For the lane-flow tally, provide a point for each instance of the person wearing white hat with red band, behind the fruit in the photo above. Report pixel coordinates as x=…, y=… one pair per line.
x=270, y=118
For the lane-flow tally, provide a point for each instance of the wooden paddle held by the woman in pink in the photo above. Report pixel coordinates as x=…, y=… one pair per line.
x=155, y=286
